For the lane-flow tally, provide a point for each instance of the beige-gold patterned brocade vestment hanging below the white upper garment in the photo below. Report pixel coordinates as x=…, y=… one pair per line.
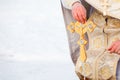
x=100, y=64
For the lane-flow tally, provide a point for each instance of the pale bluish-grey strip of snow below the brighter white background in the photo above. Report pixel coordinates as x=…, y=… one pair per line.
x=11, y=70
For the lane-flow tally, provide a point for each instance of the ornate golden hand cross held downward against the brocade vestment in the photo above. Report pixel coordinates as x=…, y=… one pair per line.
x=81, y=29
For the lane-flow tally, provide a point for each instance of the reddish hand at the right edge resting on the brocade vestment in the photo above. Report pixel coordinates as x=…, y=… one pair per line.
x=115, y=47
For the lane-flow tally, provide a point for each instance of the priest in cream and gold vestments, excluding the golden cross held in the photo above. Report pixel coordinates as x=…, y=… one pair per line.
x=103, y=48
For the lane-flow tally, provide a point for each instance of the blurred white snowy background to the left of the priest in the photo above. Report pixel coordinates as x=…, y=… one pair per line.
x=33, y=41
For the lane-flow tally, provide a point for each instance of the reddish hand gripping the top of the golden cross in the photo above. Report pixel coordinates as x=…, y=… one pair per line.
x=79, y=12
